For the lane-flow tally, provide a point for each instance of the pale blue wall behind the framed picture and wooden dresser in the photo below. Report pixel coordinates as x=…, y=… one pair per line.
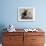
x=9, y=13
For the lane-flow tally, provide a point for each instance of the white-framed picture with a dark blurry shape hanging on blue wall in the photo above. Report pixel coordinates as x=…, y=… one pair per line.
x=26, y=14
